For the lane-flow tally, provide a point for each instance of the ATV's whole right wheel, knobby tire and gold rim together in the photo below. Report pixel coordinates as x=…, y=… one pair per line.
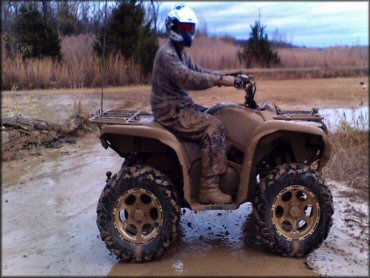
x=293, y=210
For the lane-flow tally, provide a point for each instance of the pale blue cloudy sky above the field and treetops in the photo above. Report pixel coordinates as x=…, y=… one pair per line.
x=311, y=24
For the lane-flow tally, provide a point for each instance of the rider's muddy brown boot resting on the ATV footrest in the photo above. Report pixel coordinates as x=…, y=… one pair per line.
x=209, y=193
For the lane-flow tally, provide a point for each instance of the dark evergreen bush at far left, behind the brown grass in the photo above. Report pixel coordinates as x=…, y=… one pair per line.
x=33, y=35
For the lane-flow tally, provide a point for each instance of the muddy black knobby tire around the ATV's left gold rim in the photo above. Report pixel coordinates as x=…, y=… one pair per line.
x=138, y=178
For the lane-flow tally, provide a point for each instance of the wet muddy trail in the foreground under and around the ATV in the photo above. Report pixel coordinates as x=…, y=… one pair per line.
x=49, y=226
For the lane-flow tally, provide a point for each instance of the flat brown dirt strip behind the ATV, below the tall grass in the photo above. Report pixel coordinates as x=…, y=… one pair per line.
x=61, y=104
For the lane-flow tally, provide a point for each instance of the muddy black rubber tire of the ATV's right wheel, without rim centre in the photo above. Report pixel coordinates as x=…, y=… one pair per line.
x=269, y=191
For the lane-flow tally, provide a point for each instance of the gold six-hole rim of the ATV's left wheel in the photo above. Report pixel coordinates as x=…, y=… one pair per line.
x=138, y=216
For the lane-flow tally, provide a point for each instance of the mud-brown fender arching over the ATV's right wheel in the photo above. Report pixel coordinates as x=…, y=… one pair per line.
x=268, y=132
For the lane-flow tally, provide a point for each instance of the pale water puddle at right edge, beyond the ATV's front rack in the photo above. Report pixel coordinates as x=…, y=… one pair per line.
x=357, y=118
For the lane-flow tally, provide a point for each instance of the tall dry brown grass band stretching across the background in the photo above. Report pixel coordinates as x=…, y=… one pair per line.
x=81, y=68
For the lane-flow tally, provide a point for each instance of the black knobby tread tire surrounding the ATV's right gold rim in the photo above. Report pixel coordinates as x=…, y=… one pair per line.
x=262, y=204
